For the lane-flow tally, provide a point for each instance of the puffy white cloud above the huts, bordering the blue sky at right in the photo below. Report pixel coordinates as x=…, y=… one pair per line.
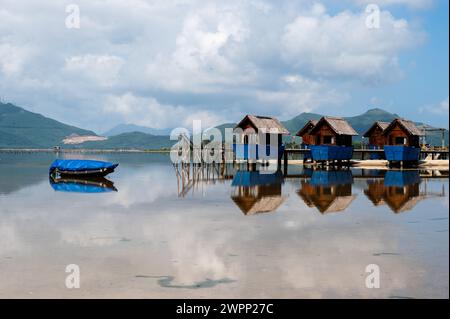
x=342, y=45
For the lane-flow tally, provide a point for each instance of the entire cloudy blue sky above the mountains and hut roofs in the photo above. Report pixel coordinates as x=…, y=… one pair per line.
x=163, y=64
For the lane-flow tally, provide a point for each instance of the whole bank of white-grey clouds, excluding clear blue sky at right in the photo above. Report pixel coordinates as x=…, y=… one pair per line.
x=218, y=60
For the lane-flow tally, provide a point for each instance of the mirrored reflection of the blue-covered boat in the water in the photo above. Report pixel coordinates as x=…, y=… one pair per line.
x=78, y=185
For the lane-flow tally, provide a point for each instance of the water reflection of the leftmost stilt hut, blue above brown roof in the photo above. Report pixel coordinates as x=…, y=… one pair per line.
x=256, y=193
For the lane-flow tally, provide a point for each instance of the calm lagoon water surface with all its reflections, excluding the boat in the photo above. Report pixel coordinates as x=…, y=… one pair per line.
x=159, y=233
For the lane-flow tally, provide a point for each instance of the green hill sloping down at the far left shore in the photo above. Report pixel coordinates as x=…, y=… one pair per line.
x=20, y=128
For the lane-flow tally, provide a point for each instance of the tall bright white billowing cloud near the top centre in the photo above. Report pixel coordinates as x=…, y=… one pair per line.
x=207, y=53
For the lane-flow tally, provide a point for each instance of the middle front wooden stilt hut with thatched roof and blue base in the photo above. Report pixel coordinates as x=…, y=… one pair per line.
x=332, y=139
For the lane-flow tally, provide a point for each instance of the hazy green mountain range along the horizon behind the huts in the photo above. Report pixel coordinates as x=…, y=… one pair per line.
x=20, y=128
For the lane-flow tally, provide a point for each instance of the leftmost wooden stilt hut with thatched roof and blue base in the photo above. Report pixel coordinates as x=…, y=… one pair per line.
x=259, y=137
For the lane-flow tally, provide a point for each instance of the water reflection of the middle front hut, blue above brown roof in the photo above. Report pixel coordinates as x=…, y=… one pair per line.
x=328, y=191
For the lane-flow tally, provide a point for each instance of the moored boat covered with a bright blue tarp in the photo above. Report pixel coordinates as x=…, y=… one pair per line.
x=82, y=168
